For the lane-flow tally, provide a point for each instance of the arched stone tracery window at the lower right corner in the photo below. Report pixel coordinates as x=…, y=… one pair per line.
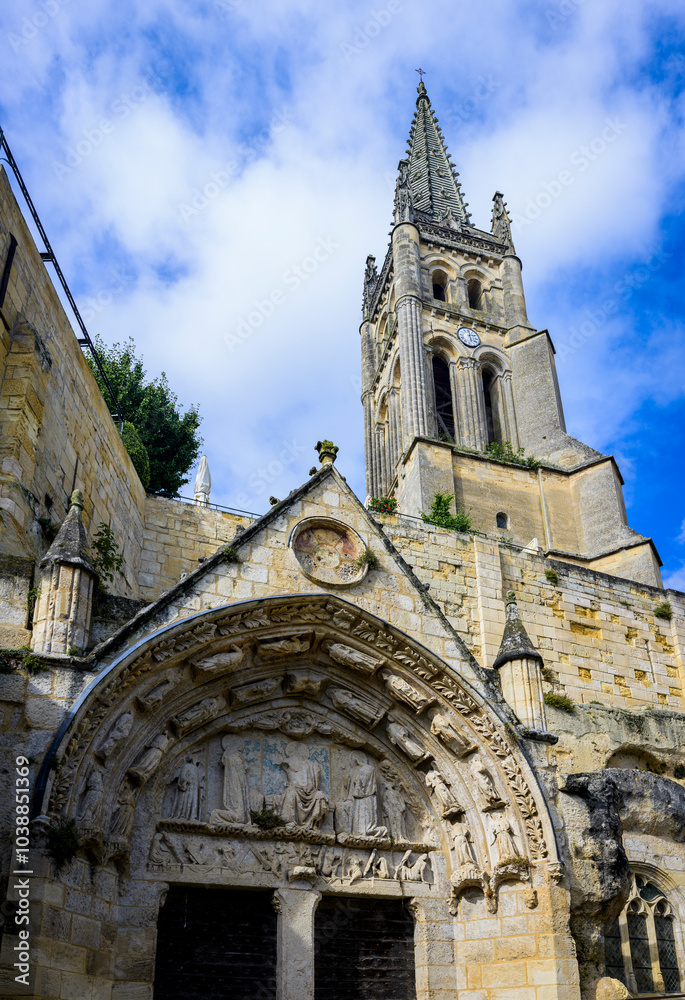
x=640, y=947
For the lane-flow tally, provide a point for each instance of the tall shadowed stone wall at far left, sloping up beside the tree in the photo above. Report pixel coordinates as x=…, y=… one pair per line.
x=56, y=433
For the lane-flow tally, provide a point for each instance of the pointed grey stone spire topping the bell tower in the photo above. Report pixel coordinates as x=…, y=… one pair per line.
x=430, y=178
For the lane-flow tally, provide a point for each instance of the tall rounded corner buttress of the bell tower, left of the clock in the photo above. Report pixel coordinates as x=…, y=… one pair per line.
x=407, y=267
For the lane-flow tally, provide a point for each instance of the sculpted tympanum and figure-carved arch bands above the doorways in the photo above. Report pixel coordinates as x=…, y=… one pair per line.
x=305, y=713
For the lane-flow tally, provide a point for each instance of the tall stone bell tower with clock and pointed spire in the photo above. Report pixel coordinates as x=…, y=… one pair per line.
x=459, y=389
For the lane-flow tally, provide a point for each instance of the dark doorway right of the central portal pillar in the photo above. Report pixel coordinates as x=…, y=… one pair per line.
x=364, y=950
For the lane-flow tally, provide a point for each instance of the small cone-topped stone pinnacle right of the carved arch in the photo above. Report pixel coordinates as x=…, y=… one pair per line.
x=519, y=666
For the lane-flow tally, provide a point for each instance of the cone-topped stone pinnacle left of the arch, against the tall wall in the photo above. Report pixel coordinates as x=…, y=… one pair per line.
x=65, y=603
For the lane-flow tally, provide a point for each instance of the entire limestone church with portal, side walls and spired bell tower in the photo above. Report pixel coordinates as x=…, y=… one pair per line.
x=328, y=753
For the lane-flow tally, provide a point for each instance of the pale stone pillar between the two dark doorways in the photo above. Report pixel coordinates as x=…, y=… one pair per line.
x=295, y=943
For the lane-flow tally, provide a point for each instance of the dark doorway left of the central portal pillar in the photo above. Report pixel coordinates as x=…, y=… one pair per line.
x=216, y=944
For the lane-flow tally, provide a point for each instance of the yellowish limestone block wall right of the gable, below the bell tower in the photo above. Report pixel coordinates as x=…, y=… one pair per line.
x=598, y=634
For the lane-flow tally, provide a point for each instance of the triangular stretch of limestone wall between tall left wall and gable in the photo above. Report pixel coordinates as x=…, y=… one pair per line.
x=175, y=536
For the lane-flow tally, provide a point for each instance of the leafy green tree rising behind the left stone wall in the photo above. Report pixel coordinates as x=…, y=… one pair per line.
x=169, y=437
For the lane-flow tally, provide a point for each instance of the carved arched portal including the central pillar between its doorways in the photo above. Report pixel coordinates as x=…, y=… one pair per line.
x=301, y=747
